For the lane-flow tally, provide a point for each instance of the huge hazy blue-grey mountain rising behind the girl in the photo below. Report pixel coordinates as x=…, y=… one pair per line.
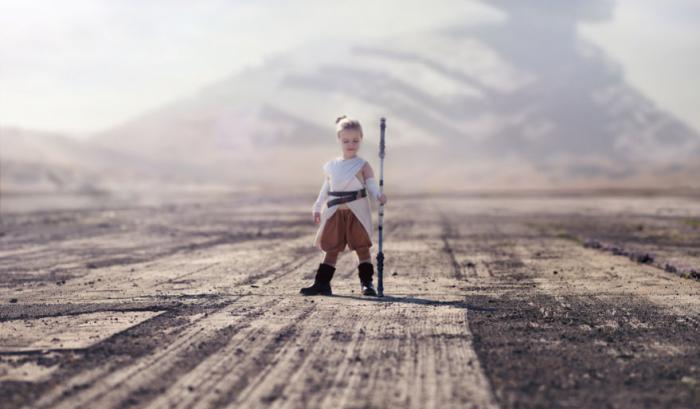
x=524, y=102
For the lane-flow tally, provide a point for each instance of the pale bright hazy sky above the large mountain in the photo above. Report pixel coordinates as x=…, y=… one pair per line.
x=78, y=66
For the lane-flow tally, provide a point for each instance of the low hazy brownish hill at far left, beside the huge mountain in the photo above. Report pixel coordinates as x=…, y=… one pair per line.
x=42, y=162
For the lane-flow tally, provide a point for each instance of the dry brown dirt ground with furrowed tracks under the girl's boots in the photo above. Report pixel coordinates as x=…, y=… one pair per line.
x=490, y=303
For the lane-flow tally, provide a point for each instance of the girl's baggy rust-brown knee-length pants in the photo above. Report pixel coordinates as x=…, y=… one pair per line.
x=342, y=229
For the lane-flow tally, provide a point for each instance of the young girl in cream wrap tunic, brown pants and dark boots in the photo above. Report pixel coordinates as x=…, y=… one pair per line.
x=345, y=219
